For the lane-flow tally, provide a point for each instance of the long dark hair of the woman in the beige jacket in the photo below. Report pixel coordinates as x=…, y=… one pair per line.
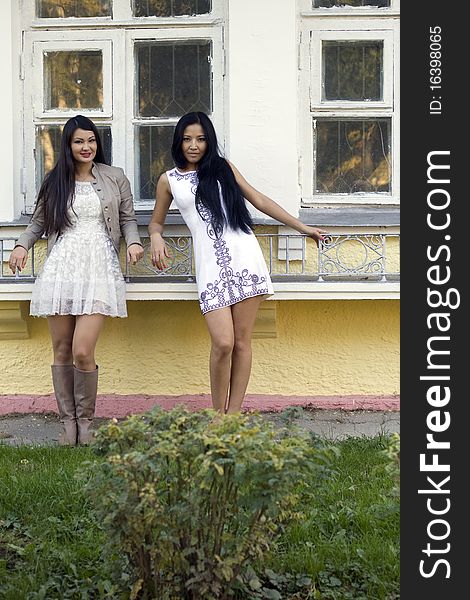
x=58, y=186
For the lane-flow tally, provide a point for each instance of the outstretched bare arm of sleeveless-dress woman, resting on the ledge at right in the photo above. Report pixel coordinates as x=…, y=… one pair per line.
x=274, y=210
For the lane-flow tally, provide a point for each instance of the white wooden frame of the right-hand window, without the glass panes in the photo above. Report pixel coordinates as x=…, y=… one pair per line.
x=317, y=25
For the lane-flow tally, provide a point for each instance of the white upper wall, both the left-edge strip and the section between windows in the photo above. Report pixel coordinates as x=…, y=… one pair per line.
x=261, y=100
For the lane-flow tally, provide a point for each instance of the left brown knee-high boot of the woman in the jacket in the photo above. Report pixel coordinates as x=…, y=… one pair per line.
x=62, y=379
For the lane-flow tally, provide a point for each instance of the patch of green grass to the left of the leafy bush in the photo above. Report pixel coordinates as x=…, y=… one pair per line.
x=49, y=544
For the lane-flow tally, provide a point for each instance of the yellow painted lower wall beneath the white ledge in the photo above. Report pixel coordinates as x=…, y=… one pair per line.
x=332, y=347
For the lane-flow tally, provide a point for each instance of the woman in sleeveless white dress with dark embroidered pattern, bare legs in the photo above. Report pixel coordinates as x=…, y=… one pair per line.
x=231, y=273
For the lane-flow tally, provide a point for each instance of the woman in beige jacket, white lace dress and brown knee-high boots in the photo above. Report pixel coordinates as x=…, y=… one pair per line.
x=83, y=207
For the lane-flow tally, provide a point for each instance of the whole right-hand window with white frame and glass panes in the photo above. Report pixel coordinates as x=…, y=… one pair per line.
x=349, y=100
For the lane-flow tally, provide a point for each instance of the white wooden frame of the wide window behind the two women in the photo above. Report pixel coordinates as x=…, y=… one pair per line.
x=115, y=37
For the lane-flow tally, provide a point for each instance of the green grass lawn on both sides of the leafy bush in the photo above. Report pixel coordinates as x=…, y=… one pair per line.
x=51, y=547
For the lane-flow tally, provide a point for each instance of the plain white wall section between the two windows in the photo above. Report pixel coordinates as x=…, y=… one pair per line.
x=262, y=96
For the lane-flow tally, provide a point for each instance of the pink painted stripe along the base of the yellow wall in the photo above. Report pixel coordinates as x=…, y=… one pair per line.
x=113, y=405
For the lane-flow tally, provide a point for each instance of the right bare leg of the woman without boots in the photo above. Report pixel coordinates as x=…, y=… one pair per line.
x=244, y=316
